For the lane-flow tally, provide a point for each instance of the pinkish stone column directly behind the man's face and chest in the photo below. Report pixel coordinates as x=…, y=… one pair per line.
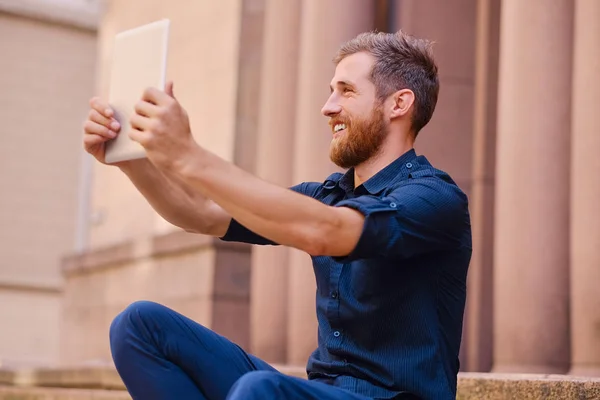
x=325, y=26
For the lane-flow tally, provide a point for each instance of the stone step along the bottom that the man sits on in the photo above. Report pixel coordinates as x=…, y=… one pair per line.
x=103, y=383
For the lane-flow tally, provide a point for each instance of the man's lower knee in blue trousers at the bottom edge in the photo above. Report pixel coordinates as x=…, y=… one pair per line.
x=257, y=385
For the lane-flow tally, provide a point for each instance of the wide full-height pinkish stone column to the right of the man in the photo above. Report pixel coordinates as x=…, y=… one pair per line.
x=531, y=255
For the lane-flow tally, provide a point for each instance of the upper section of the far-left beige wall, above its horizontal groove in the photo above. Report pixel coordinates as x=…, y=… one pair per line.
x=47, y=74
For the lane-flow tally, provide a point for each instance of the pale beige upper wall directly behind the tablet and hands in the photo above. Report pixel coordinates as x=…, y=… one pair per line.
x=203, y=63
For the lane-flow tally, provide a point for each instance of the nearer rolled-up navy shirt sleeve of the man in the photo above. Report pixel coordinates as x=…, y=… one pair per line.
x=427, y=215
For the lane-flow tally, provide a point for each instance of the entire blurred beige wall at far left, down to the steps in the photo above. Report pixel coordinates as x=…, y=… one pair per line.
x=46, y=76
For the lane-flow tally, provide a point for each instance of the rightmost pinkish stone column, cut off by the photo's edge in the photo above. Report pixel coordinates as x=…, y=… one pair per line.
x=585, y=192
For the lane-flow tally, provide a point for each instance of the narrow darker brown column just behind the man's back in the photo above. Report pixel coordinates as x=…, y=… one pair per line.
x=478, y=330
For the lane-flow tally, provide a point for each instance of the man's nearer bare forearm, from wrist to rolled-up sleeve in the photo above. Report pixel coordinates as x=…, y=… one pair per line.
x=277, y=213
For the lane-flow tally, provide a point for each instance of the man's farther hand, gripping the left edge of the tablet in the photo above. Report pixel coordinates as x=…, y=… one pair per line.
x=99, y=127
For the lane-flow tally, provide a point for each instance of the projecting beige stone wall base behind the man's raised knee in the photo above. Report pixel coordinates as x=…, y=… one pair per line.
x=183, y=281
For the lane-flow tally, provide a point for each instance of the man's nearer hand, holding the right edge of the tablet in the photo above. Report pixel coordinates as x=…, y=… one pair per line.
x=162, y=127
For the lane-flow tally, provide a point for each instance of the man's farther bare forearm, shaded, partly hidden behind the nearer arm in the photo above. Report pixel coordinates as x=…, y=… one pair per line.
x=180, y=206
